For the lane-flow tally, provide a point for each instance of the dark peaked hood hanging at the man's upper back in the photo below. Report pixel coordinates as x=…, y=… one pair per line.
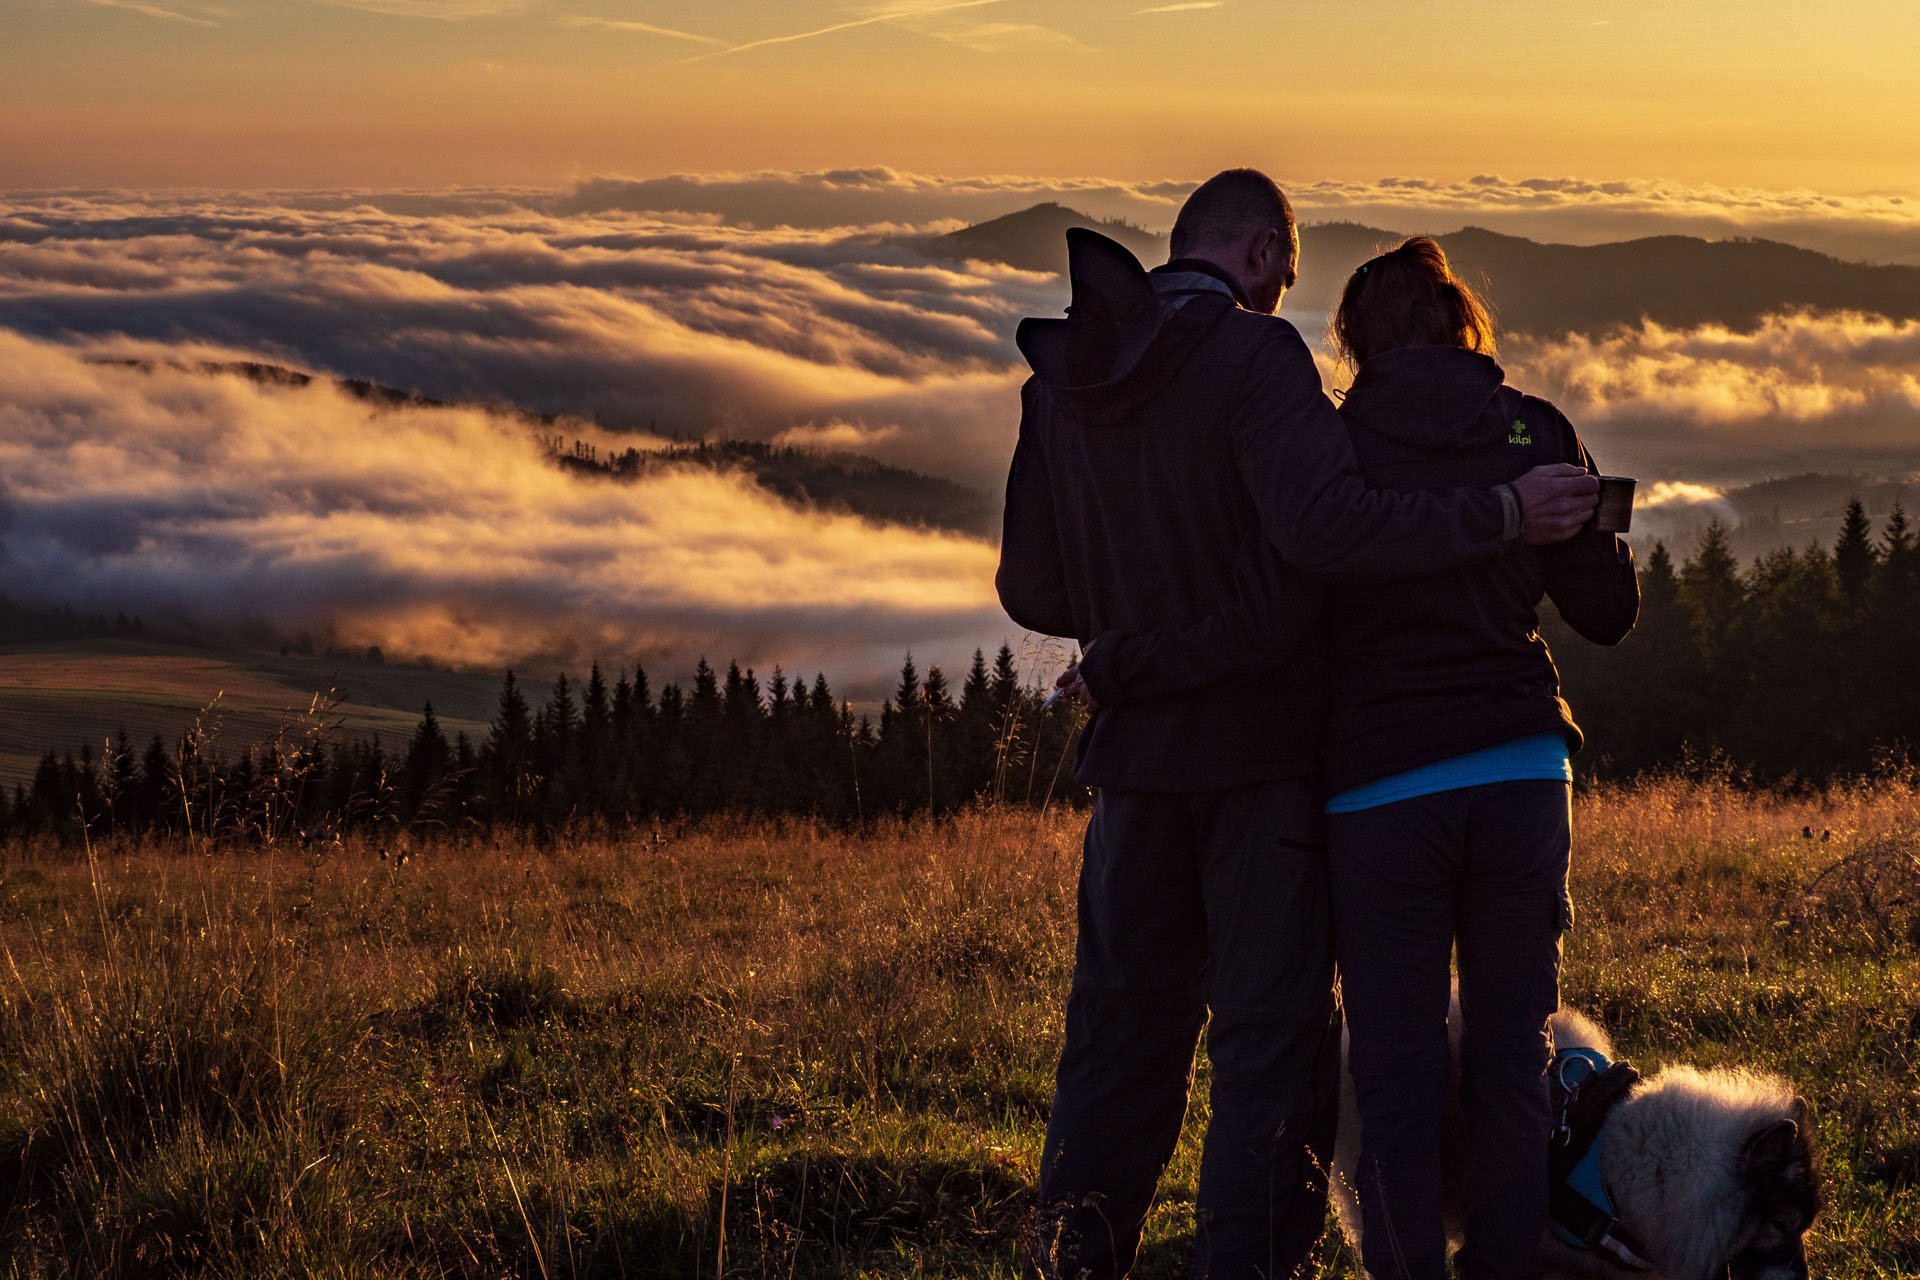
x=1126, y=333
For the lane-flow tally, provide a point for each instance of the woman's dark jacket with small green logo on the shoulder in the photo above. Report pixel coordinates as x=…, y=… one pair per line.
x=1439, y=665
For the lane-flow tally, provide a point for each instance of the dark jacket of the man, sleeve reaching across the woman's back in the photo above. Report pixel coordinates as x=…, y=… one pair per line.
x=1164, y=431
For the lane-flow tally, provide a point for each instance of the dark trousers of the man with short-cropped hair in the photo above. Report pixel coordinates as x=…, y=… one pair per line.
x=1191, y=905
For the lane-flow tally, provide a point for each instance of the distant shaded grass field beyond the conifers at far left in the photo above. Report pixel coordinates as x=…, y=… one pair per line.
x=80, y=694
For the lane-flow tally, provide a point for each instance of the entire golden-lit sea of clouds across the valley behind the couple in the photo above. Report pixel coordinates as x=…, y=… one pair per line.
x=788, y=308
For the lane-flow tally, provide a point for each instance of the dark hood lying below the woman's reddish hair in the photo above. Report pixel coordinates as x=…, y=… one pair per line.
x=1431, y=398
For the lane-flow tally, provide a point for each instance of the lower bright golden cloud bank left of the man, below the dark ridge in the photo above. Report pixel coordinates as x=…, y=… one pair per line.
x=437, y=533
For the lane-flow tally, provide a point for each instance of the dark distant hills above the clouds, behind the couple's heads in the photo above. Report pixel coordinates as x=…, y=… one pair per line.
x=1539, y=289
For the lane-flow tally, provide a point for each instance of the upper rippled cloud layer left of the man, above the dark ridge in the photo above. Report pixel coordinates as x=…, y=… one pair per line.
x=635, y=321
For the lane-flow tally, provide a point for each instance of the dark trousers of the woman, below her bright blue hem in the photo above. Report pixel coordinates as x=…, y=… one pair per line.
x=1485, y=870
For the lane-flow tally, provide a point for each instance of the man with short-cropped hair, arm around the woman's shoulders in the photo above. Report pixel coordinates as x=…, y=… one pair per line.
x=1176, y=458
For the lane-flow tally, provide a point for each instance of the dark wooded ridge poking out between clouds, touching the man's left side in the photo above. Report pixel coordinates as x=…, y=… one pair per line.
x=840, y=483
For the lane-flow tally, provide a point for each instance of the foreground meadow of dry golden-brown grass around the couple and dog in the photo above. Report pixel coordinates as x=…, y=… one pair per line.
x=777, y=1051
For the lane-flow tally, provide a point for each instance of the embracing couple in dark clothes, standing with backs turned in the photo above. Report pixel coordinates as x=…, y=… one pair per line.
x=1324, y=724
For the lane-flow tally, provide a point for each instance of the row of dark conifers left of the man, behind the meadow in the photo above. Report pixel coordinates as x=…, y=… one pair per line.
x=588, y=753
